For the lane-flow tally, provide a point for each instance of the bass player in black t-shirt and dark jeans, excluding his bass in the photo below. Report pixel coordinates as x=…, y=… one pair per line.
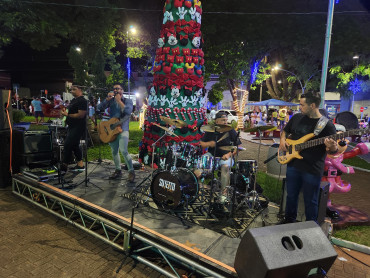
x=306, y=173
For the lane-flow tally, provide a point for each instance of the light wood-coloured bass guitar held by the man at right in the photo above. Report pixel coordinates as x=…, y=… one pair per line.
x=295, y=146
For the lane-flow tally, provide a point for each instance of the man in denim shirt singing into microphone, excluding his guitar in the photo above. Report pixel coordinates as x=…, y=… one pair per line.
x=121, y=108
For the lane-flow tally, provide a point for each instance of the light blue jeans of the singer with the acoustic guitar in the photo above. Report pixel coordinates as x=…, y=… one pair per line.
x=121, y=143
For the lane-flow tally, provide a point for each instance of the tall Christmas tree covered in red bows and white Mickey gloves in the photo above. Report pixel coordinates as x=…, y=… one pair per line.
x=177, y=90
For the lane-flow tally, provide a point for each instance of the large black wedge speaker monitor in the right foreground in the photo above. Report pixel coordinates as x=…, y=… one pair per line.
x=284, y=251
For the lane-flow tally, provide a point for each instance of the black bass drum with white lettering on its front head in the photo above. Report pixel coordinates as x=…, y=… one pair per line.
x=171, y=189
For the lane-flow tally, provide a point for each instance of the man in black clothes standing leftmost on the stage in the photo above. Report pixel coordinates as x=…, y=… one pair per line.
x=76, y=121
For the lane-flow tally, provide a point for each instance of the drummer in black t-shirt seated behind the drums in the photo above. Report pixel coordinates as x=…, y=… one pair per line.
x=227, y=138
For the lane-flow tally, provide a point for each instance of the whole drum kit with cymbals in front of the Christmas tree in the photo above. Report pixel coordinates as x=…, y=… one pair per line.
x=176, y=183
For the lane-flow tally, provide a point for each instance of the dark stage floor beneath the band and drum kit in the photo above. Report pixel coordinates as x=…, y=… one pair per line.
x=217, y=236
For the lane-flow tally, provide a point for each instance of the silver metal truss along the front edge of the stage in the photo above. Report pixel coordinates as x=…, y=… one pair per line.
x=114, y=230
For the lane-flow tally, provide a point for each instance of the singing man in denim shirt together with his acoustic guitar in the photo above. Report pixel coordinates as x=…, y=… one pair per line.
x=117, y=128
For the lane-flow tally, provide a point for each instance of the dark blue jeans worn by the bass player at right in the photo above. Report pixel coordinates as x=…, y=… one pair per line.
x=310, y=184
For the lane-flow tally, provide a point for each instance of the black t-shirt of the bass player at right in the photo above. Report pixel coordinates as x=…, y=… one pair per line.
x=313, y=158
